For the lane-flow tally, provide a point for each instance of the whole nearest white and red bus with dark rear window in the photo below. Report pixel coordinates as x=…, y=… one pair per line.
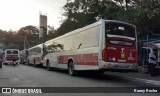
x=106, y=45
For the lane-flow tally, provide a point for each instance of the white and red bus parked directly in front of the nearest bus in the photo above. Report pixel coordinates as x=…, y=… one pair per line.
x=35, y=55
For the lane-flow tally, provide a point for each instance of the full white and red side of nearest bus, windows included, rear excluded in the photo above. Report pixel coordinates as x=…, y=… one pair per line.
x=86, y=51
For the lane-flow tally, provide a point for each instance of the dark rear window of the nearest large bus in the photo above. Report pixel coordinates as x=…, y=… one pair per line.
x=120, y=33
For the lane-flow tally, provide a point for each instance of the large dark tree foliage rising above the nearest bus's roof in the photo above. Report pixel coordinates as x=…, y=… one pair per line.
x=144, y=14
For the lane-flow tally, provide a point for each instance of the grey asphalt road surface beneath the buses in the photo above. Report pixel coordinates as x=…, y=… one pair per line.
x=28, y=76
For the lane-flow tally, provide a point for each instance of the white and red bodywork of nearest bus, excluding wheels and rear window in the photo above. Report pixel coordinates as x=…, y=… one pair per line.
x=86, y=50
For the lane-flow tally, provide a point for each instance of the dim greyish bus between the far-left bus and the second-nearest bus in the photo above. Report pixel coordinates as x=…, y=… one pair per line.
x=23, y=56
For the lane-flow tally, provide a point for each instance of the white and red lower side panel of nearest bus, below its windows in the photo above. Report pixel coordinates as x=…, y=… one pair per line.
x=87, y=56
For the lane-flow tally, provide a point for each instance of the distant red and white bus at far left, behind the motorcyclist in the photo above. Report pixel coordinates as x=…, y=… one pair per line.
x=9, y=54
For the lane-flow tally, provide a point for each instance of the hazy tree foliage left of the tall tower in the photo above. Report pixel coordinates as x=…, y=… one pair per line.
x=13, y=39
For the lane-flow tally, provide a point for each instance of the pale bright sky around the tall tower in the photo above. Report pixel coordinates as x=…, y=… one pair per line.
x=15, y=14
